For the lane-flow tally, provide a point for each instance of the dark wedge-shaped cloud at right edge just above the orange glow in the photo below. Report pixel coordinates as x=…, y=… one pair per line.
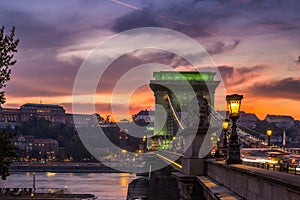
x=288, y=88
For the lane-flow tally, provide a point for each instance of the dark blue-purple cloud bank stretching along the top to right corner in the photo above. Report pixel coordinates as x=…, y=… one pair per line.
x=210, y=18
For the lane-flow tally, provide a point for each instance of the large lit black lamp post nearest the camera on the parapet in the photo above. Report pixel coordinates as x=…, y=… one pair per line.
x=234, y=104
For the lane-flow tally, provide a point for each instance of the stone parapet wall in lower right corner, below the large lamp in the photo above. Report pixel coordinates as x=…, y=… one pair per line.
x=254, y=183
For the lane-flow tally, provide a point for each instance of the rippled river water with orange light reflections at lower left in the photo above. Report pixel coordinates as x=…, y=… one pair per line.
x=105, y=186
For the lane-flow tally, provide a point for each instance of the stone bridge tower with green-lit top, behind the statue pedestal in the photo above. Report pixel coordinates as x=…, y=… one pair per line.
x=172, y=91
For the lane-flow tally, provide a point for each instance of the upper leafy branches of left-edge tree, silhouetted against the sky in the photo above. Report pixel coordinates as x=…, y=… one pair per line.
x=8, y=47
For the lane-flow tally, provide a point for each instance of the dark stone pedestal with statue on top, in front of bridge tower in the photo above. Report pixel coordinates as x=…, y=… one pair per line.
x=192, y=164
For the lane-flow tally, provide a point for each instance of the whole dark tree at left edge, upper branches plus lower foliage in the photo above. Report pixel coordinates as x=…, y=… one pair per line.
x=8, y=47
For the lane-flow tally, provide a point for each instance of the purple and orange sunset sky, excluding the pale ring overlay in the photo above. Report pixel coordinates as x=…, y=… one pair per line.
x=254, y=43
